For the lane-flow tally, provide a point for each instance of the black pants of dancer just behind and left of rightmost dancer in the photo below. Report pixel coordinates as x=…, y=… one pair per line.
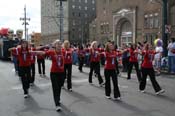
x=136, y=65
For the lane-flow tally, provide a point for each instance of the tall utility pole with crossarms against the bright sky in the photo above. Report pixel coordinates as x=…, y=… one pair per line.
x=25, y=23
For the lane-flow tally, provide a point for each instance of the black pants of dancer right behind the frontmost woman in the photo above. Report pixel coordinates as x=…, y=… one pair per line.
x=68, y=75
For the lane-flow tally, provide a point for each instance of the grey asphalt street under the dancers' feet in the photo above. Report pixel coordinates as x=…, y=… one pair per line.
x=85, y=100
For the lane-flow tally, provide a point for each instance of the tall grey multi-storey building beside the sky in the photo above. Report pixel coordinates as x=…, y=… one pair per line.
x=77, y=16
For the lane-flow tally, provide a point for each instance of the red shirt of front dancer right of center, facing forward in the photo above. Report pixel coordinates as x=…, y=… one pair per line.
x=110, y=63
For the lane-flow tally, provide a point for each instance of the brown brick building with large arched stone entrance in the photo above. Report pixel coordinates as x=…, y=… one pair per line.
x=130, y=21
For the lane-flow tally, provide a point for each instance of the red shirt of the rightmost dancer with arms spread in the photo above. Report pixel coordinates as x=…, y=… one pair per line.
x=148, y=59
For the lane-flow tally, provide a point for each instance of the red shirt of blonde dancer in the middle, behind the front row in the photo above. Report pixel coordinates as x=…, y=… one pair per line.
x=94, y=55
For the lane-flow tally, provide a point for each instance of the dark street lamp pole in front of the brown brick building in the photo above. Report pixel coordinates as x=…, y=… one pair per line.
x=164, y=4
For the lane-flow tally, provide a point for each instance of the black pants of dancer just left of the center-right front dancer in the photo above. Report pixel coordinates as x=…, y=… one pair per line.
x=95, y=66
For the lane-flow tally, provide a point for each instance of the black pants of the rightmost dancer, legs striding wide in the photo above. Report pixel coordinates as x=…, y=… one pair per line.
x=151, y=73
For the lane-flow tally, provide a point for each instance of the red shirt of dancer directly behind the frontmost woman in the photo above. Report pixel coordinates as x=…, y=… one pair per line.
x=67, y=56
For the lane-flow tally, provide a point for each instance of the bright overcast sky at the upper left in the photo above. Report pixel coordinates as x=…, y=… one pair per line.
x=12, y=10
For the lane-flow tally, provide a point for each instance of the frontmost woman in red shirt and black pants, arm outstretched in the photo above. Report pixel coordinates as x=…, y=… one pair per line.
x=57, y=74
